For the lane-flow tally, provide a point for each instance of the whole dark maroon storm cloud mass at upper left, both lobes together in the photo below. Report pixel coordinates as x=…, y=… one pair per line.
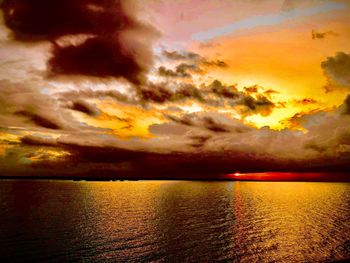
x=118, y=45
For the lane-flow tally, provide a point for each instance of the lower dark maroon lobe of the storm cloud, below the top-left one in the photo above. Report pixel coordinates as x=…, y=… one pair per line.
x=98, y=57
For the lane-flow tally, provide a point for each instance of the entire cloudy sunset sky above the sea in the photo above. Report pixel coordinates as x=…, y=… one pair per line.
x=174, y=89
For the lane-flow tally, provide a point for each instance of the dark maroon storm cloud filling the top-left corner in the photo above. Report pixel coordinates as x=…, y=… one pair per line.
x=42, y=20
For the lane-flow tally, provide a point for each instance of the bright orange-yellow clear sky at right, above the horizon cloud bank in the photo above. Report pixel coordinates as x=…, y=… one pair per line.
x=284, y=58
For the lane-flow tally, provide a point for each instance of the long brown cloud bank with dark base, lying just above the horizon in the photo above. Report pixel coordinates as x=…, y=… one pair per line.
x=207, y=143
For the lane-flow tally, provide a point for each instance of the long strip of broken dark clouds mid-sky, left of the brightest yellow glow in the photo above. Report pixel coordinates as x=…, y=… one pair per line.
x=215, y=95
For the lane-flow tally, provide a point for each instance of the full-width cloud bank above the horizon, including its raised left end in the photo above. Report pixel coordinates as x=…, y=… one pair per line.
x=203, y=142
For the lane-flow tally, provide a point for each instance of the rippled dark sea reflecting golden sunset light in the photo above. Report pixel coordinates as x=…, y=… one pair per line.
x=174, y=221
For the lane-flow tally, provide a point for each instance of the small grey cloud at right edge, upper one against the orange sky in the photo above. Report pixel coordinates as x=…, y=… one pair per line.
x=337, y=70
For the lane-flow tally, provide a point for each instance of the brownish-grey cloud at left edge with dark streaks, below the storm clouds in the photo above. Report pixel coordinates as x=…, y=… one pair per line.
x=24, y=106
